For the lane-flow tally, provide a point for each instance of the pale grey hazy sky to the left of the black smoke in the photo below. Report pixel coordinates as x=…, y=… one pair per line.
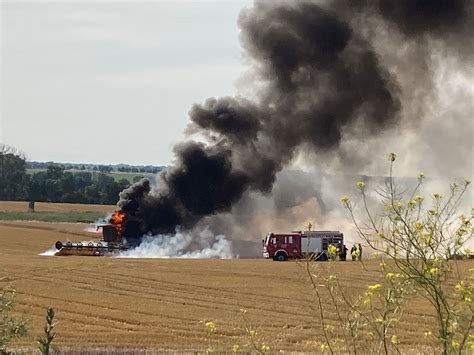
x=112, y=82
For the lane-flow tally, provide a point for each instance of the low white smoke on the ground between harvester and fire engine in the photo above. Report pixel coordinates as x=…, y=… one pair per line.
x=202, y=245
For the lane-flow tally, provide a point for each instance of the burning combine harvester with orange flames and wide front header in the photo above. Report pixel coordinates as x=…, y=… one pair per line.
x=113, y=240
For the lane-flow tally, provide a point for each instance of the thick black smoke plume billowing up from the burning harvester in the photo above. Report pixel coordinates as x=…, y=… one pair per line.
x=319, y=77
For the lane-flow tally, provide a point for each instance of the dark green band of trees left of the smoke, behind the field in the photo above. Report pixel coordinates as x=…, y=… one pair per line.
x=54, y=184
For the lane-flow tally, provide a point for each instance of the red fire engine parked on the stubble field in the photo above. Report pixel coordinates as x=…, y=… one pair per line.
x=301, y=244
